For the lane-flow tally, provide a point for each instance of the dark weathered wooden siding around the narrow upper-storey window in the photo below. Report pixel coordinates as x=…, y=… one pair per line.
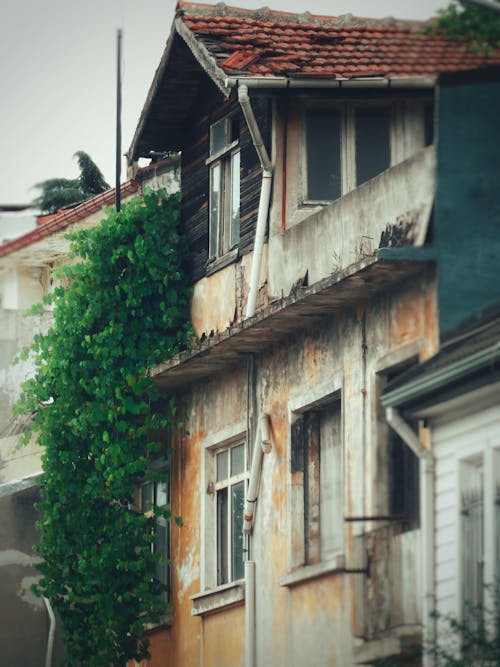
x=210, y=108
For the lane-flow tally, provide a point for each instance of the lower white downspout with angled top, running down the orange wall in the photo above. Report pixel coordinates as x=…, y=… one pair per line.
x=262, y=446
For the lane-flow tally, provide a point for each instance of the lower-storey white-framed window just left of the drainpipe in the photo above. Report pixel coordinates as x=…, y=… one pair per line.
x=230, y=486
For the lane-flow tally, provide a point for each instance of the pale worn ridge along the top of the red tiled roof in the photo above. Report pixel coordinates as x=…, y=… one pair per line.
x=220, y=9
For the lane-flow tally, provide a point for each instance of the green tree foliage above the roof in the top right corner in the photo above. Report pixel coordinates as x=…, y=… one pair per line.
x=468, y=21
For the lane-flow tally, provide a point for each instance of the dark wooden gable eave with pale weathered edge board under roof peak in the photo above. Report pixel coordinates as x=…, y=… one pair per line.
x=172, y=95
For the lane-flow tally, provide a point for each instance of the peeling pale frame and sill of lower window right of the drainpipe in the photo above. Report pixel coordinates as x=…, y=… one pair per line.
x=330, y=560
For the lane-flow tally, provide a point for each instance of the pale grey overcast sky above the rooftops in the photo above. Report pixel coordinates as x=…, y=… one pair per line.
x=58, y=76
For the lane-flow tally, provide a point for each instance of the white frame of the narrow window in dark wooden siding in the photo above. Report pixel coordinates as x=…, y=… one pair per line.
x=224, y=231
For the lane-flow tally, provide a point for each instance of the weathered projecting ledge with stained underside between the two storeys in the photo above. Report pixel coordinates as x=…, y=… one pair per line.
x=283, y=318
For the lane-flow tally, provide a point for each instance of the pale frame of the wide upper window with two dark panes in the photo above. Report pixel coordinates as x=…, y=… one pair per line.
x=406, y=135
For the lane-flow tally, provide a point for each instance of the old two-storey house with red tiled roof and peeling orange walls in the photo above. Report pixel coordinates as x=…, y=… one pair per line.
x=321, y=270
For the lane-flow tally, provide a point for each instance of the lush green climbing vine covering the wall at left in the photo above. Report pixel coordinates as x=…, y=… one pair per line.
x=124, y=309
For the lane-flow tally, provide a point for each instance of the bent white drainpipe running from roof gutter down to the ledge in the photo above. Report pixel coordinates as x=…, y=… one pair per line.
x=265, y=195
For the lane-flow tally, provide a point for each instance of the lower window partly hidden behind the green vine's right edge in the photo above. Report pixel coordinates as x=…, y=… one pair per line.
x=157, y=494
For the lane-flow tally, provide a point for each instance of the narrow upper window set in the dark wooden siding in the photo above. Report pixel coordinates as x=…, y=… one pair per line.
x=224, y=165
